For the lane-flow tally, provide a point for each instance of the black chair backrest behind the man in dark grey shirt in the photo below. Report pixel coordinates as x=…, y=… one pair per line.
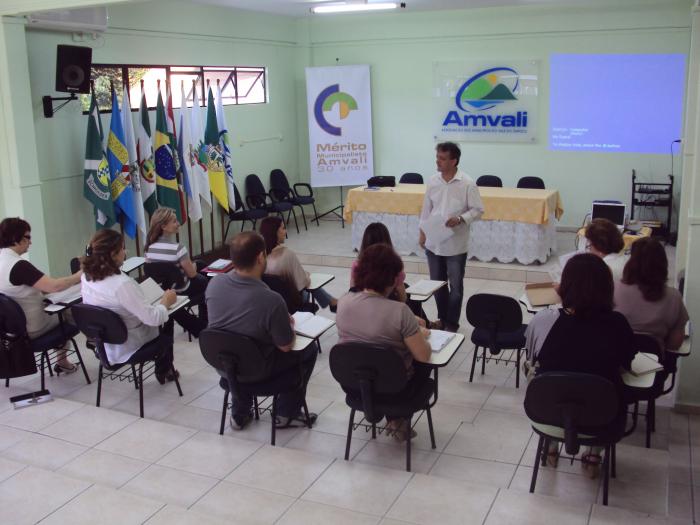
x=236, y=355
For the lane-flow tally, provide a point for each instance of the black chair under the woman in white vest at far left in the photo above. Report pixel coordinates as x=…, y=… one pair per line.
x=13, y=328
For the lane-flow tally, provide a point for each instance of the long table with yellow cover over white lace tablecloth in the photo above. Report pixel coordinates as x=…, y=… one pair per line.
x=518, y=224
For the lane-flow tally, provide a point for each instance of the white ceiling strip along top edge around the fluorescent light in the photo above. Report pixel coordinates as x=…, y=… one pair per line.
x=300, y=8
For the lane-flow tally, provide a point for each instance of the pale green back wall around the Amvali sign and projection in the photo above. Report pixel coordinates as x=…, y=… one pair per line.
x=401, y=49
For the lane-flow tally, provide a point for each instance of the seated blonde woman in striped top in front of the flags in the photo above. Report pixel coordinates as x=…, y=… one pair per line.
x=162, y=246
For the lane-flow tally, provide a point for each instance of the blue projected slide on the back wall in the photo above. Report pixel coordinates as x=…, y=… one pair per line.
x=617, y=103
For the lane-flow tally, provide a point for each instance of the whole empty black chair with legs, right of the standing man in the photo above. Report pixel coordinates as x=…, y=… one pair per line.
x=497, y=322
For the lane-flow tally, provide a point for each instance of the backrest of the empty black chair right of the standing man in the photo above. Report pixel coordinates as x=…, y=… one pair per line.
x=495, y=313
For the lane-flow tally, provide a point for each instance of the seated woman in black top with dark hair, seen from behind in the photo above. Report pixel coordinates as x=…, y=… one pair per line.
x=584, y=336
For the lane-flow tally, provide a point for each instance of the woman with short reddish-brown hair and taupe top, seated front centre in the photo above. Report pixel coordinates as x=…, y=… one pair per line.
x=369, y=316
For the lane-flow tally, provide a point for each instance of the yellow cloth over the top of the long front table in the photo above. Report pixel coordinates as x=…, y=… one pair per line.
x=500, y=204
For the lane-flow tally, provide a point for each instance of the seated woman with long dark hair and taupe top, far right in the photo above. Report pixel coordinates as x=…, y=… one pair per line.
x=643, y=297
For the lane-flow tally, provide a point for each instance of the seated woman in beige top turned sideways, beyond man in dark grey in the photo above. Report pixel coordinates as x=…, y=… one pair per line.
x=283, y=262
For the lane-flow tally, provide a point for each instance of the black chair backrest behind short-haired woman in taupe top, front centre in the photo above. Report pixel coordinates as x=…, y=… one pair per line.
x=369, y=370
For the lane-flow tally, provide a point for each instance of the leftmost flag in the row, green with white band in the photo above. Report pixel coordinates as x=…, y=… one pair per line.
x=96, y=180
